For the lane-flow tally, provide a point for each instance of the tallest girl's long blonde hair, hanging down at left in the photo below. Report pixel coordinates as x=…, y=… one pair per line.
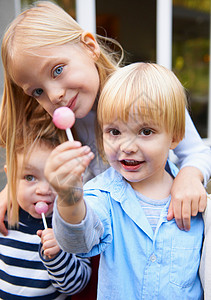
x=43, y=24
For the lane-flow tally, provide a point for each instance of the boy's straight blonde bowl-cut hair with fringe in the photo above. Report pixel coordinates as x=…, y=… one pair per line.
x=145, y=90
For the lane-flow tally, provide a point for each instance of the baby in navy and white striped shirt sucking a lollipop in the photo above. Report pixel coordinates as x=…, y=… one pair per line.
x=28, y=269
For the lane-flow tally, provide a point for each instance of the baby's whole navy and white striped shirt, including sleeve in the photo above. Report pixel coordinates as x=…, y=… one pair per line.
x=25, y=274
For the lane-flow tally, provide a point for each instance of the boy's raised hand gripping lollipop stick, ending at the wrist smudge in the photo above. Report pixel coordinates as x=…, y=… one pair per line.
x=64, y=169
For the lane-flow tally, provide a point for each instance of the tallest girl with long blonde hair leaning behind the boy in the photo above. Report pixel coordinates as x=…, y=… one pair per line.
x=49, y=60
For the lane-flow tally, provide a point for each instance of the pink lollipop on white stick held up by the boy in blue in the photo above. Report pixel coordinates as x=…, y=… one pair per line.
x=64, y=118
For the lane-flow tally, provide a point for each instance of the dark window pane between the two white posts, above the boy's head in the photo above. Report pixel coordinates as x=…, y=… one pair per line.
x=132, y=23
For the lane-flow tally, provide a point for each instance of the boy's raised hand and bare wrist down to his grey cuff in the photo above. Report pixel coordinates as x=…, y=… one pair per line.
x=63, y=170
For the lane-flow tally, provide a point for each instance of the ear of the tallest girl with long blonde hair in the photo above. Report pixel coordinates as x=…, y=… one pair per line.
x=91, y=44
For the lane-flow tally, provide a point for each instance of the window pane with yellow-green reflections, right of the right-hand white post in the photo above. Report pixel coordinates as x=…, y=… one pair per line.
x=191, y=23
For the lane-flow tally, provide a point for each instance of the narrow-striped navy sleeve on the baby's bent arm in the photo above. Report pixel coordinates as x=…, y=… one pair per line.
x=68, y=272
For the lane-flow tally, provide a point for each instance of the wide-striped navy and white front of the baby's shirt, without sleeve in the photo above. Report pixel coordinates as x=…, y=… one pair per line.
x=22, y=274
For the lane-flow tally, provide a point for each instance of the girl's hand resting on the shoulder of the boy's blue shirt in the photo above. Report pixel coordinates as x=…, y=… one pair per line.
x=188, y=197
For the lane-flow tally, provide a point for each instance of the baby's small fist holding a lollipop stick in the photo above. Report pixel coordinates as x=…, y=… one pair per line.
x=49, y=243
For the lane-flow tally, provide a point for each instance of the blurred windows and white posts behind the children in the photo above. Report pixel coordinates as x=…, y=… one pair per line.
x=175, y=33
